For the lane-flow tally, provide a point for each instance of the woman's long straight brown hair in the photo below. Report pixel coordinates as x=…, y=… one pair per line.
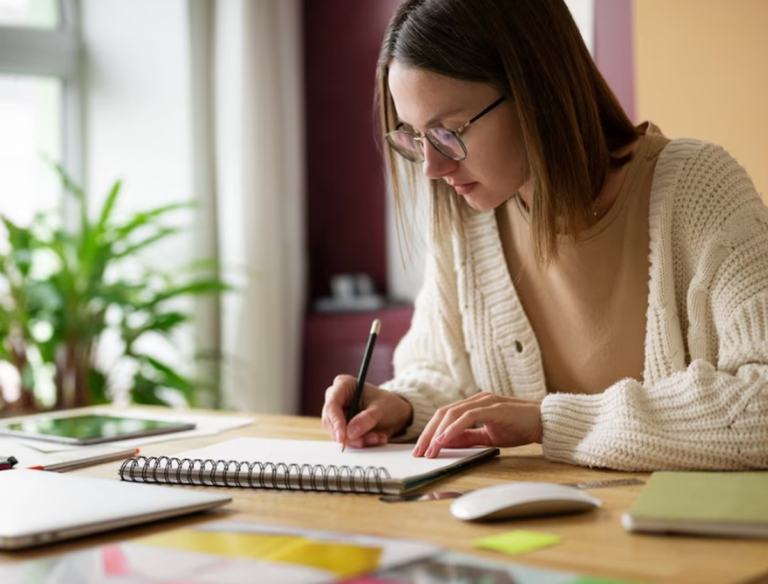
x=532, y=52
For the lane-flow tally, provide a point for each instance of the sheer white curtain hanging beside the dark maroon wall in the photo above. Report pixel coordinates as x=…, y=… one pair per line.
x=253, y=148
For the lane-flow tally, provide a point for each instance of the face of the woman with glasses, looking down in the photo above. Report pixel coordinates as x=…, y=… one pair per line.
x=495, y=166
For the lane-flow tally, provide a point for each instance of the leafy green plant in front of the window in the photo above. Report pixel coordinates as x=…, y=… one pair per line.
x=63, y=289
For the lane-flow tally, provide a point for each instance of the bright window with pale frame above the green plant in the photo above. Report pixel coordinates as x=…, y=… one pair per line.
x=39, y=103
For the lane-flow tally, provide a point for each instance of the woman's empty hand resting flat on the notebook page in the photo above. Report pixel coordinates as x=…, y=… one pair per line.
x=503, y=421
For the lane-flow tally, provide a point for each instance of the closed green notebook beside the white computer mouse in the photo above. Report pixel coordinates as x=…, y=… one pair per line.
x=733, y=504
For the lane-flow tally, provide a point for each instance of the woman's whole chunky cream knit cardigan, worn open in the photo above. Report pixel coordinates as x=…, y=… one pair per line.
x=703, y=403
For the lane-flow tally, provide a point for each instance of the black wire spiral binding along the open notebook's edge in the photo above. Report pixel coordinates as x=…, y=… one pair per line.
x=222, y=473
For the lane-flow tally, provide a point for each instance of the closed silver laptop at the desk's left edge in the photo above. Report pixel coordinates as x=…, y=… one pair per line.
x=41, y=507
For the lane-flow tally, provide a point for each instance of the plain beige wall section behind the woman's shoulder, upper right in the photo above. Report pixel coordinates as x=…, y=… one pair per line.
x=702, y=72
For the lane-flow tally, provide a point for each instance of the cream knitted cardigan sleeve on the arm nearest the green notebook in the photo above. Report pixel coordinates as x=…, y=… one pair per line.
x=710, y=410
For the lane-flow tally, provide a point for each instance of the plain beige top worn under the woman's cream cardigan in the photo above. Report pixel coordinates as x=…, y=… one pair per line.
x=588, y=308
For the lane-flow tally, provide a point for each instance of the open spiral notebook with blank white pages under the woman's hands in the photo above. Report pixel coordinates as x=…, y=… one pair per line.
x=303, y=465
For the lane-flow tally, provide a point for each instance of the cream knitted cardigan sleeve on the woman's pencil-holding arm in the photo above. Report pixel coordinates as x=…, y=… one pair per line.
x=430, y=362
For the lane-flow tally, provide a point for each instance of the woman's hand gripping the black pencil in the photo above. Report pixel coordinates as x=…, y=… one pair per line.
x=382, y=413
